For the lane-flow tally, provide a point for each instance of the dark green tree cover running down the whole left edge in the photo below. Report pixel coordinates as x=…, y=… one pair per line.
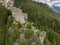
x=4, y=13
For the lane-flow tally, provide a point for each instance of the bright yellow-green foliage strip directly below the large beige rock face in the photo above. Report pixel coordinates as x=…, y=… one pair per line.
x=15, y=33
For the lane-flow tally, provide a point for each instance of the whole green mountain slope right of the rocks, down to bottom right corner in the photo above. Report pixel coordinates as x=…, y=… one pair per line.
x=44, y=18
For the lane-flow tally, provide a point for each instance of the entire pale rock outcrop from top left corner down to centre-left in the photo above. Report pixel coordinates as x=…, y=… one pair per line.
x=17, y=13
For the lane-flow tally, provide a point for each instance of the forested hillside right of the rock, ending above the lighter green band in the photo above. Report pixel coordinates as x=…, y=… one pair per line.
x=40, y=14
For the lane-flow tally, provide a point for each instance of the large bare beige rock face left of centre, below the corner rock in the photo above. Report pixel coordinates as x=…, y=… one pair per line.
x=18, y=15
